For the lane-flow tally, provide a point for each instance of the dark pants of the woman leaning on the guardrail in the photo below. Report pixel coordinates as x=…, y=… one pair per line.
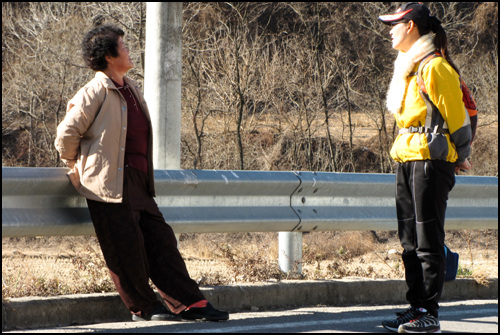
x=137, y=245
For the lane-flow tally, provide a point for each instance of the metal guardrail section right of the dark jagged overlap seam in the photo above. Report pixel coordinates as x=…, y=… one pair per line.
x=352, y=201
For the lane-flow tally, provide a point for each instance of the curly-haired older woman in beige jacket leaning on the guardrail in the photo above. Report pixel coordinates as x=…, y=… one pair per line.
x=106, y=141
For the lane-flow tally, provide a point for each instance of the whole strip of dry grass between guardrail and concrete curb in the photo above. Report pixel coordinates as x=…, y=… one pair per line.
x=45, y=266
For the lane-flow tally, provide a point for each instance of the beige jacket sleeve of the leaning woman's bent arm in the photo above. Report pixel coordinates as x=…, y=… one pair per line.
x=80, y=114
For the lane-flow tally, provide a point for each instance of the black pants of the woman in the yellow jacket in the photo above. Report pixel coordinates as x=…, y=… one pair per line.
x=422, y=189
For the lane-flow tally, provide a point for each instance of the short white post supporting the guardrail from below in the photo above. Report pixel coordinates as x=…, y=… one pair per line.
x=290, y=252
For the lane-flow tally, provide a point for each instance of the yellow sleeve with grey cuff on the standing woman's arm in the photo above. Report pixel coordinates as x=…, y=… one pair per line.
x=443, y=84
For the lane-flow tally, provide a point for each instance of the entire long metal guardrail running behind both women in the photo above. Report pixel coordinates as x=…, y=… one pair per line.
x=42, y=202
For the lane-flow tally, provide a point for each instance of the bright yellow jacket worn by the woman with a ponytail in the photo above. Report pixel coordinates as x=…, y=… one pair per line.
x=443, y=86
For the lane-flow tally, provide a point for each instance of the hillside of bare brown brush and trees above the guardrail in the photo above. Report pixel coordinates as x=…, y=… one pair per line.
x=266, y=86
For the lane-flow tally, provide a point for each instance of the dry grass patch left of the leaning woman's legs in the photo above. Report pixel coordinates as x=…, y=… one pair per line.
x=46, y=266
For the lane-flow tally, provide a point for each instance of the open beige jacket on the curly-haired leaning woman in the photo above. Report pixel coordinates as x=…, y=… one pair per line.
x=91, y=139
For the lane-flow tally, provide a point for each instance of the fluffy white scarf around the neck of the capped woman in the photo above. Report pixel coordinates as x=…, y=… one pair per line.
x=403, y=65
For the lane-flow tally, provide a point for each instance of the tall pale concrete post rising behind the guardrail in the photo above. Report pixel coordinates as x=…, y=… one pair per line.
x=162, y=83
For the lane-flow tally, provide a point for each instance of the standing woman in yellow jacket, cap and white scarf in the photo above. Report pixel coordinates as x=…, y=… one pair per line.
x=430, y=148
